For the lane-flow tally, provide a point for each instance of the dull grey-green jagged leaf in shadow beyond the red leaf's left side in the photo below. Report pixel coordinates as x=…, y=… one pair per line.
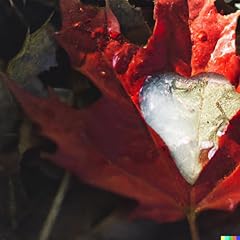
x=37, y=55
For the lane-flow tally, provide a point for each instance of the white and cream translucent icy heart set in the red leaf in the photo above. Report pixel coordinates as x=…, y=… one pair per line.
x=188, y=114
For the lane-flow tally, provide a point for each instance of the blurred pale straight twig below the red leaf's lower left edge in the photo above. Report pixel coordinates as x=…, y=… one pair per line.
x=55, y=209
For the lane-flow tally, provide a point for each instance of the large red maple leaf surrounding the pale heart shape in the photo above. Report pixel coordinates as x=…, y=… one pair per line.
x=108, y=144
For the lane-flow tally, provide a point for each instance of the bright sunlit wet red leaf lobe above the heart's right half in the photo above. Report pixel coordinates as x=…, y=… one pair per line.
x=213, y=37
